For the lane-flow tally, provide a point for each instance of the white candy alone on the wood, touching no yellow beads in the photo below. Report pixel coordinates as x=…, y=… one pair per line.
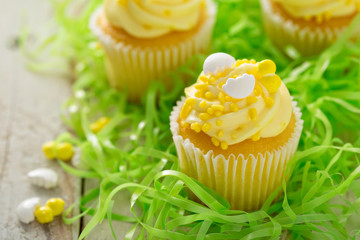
x=43, y=177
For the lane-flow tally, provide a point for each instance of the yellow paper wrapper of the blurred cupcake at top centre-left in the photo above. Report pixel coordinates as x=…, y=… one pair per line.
x=133, y=68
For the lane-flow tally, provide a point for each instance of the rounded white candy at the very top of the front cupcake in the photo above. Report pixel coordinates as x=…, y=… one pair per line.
x=218, y=62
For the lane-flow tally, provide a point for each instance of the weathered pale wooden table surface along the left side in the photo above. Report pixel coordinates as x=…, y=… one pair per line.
x=29, y=116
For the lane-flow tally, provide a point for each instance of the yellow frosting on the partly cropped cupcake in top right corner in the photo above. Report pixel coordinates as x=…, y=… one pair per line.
x=319, y=9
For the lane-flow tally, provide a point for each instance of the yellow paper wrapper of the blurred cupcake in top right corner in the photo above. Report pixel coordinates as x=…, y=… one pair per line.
x=285, y=31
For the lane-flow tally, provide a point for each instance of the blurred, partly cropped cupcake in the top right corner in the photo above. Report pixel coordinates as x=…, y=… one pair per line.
x=310, y=26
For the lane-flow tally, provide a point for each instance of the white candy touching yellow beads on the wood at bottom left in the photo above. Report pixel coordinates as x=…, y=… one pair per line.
x=25, y=210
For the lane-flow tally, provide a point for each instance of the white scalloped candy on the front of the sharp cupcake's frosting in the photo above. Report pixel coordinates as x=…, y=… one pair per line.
x=241, y=87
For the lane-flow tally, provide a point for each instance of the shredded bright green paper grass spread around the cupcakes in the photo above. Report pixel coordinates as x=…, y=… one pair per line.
x=135, y=153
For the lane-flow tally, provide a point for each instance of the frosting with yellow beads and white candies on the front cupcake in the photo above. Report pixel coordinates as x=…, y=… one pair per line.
x=236, y=100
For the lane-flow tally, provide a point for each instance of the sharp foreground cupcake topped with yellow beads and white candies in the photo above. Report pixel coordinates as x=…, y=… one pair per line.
x=237, y=129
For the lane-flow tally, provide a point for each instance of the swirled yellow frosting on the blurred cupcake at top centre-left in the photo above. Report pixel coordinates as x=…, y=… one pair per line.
x=153, y=18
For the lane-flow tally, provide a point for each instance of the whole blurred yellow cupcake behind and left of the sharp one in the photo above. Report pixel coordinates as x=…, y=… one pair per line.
x=144, y=39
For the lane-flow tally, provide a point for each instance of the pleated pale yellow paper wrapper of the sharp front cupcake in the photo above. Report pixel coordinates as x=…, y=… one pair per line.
x=245, y=183
